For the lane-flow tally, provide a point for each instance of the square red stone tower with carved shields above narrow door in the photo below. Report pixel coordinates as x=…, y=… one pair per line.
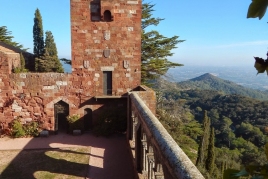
x=106, y=46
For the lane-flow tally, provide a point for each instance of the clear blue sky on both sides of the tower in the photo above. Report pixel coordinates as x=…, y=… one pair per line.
x=216, y=33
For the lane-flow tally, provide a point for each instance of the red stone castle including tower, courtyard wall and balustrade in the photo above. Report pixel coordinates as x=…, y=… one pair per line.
x=105, y=78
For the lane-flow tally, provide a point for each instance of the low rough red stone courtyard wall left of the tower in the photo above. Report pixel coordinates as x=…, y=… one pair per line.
x=29, y=96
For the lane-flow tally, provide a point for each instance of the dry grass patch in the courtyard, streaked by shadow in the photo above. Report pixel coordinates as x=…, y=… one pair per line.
x=49, y=163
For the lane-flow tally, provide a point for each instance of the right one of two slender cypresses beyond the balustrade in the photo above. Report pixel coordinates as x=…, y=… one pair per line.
x=211, y=153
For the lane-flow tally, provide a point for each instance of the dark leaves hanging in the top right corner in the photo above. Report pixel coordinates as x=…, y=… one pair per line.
x=257, y=8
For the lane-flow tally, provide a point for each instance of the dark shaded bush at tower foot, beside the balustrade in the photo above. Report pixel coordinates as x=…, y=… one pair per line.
x=111, y=121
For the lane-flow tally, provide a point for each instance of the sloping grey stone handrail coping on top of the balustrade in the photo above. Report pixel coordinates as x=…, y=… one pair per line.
x=182, y=166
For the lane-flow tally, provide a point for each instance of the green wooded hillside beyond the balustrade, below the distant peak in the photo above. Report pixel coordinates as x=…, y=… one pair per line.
x=239, y=124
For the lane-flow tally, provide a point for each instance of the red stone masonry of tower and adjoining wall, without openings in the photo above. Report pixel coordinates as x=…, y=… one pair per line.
x=31, y=96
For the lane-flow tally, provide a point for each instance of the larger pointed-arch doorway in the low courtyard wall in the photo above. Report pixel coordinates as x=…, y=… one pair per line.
x=61, y=111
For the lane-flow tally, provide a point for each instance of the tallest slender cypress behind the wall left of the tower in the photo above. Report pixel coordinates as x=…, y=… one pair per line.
x=38, y=34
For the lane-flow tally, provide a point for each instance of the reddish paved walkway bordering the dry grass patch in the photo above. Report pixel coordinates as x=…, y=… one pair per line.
x=109, y=157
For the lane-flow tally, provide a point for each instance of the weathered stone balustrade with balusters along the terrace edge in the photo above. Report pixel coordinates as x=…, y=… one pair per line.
x=155, y=153
